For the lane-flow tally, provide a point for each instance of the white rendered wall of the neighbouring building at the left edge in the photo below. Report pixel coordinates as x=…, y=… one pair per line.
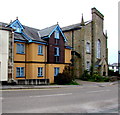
x=4, y=43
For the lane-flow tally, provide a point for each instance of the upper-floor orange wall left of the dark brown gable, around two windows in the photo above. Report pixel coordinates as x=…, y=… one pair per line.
x=31, y=53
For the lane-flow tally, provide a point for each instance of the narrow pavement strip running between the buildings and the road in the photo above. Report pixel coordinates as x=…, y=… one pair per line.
x=82, y=83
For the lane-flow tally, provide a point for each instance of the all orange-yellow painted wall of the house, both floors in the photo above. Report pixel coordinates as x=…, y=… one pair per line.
x=31, y=69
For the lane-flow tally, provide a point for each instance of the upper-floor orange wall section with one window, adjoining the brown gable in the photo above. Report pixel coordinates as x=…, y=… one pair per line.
x=32, y=52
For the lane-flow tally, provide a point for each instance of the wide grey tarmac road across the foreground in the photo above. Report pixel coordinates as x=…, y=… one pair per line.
x=77, y=99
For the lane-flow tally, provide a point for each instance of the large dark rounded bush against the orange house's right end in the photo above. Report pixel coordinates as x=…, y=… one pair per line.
x=65, y=78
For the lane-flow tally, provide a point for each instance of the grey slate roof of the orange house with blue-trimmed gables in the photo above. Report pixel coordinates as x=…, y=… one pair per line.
x=33, y=33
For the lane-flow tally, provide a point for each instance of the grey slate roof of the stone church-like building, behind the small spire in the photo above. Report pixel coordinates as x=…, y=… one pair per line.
x=74, y=26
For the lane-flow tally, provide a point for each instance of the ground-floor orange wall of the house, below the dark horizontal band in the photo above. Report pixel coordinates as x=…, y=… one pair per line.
x=31, y=70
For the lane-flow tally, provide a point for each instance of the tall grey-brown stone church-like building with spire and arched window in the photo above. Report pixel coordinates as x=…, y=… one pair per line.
x=89, y=44
